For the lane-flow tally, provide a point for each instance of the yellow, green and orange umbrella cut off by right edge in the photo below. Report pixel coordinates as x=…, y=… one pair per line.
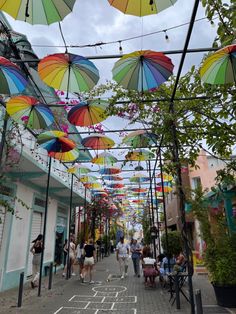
x=220, y=67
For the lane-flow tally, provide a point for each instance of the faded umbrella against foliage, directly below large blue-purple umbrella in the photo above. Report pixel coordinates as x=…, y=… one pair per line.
x=140, y=138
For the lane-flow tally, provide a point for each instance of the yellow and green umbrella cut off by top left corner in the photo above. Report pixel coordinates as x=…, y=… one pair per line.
x=37, y=11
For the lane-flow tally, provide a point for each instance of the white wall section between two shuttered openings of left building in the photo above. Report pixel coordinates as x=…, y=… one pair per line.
x=20, y=230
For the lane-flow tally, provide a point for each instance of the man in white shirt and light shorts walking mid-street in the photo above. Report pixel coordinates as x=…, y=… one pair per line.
x=122, y=254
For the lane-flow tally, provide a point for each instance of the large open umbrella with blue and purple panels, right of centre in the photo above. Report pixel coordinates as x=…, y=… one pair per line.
x=142, y=70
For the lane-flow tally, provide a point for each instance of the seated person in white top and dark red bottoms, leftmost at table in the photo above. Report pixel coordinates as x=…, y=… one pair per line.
x=149, y=270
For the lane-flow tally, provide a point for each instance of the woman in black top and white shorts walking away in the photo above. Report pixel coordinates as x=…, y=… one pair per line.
x=89, y=261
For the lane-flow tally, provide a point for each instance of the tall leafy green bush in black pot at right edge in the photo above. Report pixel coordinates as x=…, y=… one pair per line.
x=220, y=252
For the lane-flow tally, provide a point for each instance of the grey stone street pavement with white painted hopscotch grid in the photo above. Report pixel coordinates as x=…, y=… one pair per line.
x=109, y=294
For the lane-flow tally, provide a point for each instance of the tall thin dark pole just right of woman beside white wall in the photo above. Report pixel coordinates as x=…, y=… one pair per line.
x=44, y=227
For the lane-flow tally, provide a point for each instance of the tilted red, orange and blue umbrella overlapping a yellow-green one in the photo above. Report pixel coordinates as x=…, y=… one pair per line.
x=55, y=141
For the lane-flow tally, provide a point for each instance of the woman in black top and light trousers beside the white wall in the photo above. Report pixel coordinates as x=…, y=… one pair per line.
x=36, y=250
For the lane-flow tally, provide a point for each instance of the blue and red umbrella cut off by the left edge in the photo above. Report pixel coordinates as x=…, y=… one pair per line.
x=13, y=81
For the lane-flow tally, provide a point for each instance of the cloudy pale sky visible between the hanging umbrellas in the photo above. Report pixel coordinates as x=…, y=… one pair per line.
x=94, y=21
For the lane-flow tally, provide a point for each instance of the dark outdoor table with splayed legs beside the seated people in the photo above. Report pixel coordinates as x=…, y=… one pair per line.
x=176, y=281
